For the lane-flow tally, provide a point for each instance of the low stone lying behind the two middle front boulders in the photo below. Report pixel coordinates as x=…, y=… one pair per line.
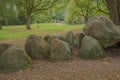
x=49, y=38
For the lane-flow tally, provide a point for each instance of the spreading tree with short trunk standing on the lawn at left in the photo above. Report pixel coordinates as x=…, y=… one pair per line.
x=34, y=6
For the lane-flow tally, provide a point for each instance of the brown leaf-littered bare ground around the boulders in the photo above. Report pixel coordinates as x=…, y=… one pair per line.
x=76, y=69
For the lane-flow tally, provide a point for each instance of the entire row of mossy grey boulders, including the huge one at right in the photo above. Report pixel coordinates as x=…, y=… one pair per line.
x=99, y=33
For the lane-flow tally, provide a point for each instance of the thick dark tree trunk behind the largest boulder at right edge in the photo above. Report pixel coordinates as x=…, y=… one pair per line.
x=114, y=10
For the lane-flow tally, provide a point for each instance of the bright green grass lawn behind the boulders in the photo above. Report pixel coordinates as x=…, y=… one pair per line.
x=10, y=32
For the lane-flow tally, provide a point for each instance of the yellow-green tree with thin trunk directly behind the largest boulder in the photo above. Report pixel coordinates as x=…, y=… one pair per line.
x=87, y=8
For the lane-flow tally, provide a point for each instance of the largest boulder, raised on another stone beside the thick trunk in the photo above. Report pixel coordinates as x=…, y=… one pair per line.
x=103, y=30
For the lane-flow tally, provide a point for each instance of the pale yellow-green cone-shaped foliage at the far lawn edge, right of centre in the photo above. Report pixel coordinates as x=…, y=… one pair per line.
x=72, y=15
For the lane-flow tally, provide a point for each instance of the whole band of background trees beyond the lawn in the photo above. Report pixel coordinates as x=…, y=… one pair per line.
x=14, y=12
